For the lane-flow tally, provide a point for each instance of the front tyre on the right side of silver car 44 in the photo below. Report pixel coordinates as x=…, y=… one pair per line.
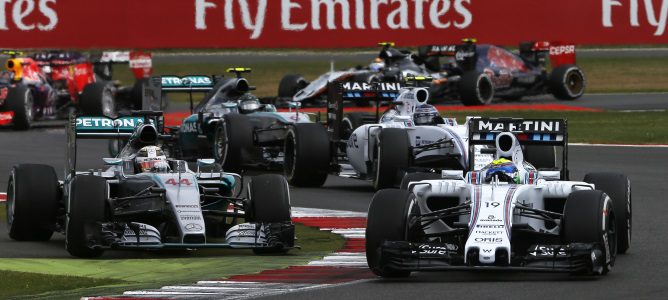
x=269, y=203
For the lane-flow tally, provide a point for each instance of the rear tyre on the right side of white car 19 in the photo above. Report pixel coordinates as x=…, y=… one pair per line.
x=618, y=187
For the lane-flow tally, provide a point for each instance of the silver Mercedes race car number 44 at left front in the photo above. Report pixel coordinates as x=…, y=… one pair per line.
x=143, y=200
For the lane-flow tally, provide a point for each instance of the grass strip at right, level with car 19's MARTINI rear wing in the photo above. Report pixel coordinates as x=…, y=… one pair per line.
x=597, y=127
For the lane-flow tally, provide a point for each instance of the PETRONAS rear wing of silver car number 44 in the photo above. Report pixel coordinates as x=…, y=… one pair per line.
x=105, y=128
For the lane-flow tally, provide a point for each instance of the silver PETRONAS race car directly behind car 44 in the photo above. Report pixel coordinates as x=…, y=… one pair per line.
x=229, y=123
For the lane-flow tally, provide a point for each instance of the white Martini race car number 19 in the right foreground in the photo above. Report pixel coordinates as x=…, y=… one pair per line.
x=506, y=216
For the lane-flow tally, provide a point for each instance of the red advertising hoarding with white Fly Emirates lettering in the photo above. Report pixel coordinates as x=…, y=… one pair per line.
x=154, y=24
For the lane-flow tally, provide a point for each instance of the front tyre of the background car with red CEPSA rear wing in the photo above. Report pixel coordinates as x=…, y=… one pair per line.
x=476, y=88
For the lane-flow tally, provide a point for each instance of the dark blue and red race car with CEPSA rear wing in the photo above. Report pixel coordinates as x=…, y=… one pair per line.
x=480, y=73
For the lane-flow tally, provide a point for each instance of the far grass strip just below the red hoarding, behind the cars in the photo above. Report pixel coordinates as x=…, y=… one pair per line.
x=604, y=75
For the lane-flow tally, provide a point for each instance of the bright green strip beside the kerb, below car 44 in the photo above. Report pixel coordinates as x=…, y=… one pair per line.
x=71, y=278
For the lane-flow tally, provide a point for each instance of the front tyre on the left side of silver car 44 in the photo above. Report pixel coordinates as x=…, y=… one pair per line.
x=87, y=207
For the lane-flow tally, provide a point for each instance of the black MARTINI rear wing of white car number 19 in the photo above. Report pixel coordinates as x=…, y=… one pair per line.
x=545, y=132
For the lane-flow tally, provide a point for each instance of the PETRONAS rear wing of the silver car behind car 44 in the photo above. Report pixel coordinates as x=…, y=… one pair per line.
x=156, y=86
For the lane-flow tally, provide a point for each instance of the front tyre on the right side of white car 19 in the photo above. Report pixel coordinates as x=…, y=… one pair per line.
x=589, y=217
